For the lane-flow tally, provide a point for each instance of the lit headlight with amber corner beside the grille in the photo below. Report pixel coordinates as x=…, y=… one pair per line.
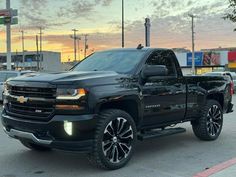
x=70, y=94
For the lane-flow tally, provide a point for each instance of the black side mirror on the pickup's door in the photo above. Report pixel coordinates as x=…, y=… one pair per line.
x=154, y=70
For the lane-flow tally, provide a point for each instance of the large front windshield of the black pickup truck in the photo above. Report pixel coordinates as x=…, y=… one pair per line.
x=118, y=61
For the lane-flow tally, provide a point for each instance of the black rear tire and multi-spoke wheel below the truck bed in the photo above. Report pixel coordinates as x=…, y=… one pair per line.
x=208, y=127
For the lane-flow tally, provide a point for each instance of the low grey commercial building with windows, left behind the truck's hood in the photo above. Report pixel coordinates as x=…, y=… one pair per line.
x=49, y=62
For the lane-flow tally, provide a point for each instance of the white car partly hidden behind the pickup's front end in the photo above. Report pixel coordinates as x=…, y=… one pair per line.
x=4, y=75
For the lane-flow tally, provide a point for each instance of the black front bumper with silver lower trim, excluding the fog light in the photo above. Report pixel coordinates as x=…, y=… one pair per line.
x=52, y=134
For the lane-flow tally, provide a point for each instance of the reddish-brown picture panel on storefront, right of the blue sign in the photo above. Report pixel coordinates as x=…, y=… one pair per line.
x=211, y=59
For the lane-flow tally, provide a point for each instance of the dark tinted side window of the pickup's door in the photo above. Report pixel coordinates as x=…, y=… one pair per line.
x=165, y=58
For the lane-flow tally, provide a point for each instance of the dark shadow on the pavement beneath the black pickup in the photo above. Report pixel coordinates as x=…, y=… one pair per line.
x=58, y=162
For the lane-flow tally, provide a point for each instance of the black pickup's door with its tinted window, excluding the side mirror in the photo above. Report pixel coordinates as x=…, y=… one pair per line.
x=164, y=96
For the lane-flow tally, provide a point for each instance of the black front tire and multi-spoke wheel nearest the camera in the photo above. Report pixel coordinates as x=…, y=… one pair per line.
x=115, y=140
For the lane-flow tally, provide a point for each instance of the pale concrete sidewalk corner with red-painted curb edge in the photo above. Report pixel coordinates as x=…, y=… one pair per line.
x=225, y=169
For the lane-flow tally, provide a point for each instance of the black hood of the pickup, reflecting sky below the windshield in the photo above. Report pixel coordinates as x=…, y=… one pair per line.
x=71, y=78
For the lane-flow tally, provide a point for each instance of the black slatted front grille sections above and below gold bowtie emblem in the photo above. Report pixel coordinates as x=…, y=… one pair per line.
x=38, y=111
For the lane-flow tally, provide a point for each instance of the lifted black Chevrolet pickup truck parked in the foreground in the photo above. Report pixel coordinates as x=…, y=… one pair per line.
x=109, y=101
